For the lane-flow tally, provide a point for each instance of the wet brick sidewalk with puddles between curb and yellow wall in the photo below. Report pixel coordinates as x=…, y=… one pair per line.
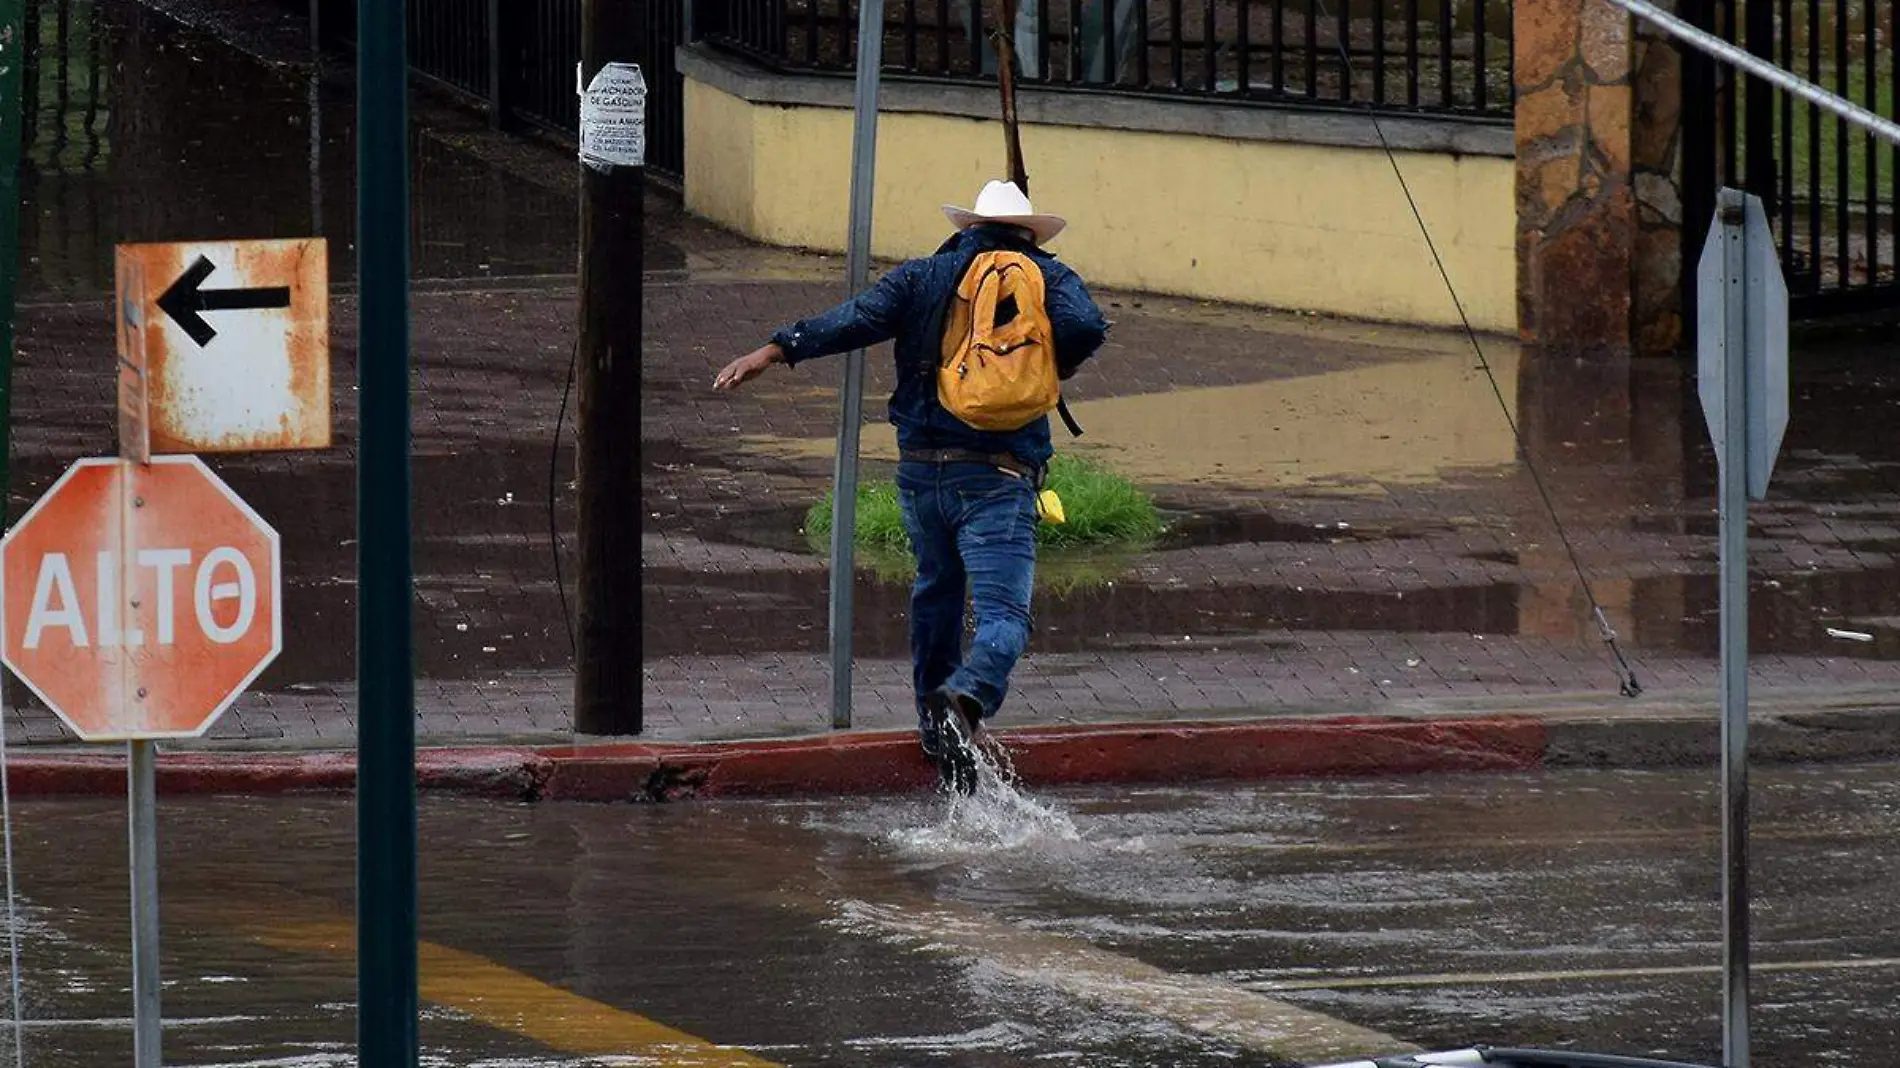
x=1352, y=522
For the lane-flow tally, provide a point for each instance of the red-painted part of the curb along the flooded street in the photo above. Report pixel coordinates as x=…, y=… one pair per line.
x=869, y=763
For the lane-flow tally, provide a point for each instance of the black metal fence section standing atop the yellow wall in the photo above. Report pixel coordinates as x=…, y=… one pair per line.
x=1415, y=56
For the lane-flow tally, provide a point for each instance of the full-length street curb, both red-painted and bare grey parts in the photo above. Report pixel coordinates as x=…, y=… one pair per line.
x=886, y=763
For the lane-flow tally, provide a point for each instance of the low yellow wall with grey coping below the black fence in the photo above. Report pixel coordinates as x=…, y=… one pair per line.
x=1245, y=221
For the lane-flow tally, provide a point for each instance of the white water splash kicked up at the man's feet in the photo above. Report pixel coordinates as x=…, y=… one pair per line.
x=997, y=818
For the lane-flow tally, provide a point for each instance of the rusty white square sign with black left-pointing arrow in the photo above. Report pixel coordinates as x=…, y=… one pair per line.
x=225, y=347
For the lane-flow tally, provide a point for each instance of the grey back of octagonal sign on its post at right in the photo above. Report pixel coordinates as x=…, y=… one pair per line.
x=1743, y=383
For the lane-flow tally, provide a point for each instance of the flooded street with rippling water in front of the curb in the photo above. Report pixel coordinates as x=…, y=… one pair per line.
x=1266, y=925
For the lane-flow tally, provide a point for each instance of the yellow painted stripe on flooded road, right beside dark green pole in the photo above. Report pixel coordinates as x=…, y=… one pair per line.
x=520, y=1004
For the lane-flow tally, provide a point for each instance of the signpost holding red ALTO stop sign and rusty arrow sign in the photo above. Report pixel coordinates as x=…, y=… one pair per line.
x=136, y=662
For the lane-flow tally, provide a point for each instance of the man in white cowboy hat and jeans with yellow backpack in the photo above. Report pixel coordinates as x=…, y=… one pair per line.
x=985, y=326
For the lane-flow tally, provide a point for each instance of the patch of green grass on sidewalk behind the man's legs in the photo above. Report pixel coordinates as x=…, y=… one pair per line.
x=1101, y=508
